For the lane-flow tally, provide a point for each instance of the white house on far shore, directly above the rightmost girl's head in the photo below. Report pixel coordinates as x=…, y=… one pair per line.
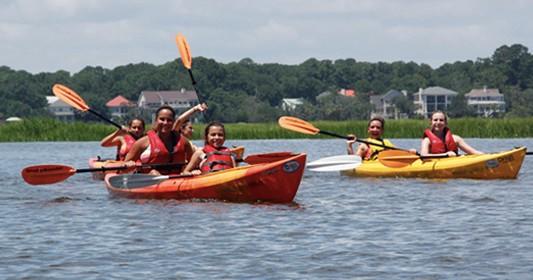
x=433, y=99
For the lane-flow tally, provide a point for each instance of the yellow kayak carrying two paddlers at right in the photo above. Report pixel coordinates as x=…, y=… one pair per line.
x=503, y=165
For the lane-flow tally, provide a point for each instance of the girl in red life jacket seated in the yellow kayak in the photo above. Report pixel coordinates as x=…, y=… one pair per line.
x=439, y=140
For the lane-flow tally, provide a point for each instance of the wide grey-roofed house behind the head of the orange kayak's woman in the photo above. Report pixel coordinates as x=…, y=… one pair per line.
x=179, y=100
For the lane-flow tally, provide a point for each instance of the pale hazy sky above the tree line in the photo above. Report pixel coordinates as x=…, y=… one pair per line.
x=51, y=35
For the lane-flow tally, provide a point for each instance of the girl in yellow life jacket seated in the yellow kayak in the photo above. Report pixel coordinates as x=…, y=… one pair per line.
x=376, y=127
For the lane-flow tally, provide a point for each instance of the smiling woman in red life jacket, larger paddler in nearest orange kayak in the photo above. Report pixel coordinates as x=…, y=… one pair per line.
x=163, y=144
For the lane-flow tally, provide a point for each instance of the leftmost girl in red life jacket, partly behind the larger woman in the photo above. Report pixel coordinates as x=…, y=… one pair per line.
x=124, y=138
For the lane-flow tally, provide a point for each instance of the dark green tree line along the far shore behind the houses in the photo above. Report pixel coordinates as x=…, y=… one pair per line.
x=246, y=91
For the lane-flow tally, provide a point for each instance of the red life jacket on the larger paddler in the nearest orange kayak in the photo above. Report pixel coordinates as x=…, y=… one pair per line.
x=160, y=154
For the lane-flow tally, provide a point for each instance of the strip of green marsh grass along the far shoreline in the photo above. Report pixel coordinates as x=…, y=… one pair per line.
x=51, y=130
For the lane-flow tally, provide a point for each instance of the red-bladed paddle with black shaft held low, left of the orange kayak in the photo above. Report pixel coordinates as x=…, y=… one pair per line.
x=53, y=173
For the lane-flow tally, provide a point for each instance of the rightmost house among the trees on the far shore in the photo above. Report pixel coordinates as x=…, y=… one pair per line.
x=486, y=101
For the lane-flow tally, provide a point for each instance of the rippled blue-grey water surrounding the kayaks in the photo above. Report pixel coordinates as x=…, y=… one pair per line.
x=338, y=227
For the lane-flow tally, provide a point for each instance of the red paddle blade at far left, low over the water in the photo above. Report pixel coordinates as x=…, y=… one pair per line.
x=46, y=174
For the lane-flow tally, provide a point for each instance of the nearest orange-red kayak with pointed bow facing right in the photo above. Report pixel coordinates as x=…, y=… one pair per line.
x=276, y=182
